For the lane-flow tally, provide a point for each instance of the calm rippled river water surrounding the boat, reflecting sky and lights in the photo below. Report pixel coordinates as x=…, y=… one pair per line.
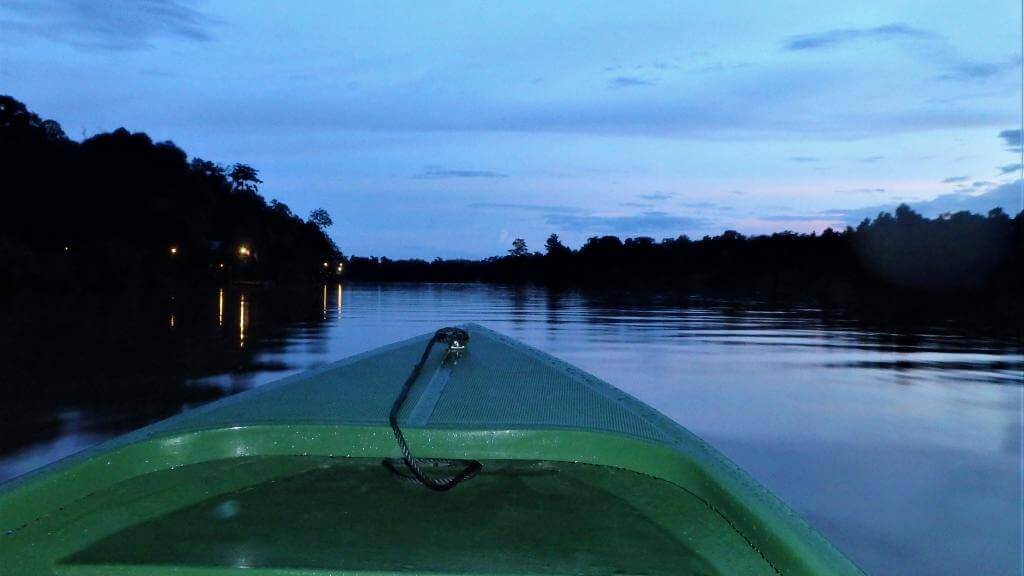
x=903, y=446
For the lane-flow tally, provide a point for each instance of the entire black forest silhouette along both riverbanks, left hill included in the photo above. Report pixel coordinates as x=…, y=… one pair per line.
x=119, y=211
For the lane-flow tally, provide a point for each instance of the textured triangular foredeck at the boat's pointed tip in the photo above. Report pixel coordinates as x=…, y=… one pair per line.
x=498, y=384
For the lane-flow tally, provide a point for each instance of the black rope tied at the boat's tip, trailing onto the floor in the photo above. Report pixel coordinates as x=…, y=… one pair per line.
x=456, y=339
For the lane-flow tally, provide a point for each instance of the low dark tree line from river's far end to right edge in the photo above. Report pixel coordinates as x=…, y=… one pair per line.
x=957, y=262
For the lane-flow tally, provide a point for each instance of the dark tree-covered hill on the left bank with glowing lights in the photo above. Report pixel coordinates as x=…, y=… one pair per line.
x=118, y=211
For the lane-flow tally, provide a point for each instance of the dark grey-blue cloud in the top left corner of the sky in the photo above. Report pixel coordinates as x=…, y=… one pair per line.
x=110, y=25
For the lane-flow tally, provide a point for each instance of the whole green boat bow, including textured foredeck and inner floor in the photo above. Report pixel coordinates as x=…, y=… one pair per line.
x=578, y=478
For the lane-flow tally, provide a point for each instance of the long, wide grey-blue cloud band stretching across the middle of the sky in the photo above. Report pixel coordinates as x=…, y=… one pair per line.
x=767, y=104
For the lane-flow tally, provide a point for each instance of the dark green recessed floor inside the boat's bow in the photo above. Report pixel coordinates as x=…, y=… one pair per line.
x=315, y=515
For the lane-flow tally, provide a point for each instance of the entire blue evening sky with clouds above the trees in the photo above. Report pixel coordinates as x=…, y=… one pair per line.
x=451, y=129
